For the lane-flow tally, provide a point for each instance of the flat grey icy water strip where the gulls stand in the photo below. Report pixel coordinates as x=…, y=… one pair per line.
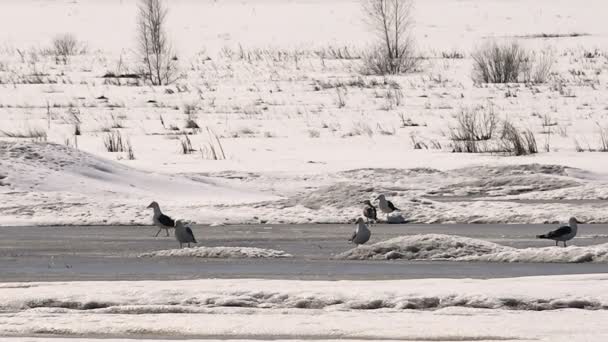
x=112, y=253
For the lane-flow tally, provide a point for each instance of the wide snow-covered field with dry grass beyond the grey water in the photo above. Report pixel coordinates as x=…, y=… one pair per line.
x=306, y=137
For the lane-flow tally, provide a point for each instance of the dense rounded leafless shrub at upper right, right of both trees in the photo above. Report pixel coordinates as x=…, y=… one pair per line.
x=499, y=62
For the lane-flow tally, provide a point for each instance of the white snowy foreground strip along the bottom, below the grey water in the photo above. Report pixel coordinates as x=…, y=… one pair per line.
x=564, y=308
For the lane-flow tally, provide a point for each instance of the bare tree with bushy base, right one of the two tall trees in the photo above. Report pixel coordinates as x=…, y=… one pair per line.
x=392, y=22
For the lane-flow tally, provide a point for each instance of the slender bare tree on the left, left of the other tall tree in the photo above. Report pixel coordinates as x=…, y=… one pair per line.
x=159, y=65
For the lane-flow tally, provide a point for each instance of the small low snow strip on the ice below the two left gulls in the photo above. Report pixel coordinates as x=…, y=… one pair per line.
x=220, y=252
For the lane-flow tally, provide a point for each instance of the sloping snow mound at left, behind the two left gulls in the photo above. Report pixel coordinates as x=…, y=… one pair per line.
x=41, y=179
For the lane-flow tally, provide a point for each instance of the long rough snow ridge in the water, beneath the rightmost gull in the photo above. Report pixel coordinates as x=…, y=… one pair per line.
x=458, y=248
